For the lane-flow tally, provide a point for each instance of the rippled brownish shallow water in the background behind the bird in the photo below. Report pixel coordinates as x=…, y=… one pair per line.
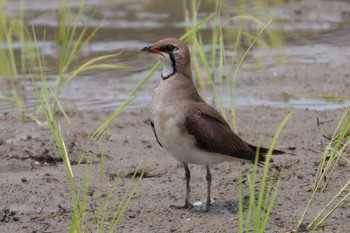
x=129, y=26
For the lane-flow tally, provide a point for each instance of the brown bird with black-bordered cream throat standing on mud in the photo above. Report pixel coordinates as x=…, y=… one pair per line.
x=185, y=125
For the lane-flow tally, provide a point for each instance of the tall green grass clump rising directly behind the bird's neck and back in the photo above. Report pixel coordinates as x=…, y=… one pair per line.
x=218, y=67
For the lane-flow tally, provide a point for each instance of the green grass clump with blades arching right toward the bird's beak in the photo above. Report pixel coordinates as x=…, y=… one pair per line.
x=72, y=38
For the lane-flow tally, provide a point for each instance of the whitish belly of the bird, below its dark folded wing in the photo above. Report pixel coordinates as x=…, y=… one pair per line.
x=177, y=142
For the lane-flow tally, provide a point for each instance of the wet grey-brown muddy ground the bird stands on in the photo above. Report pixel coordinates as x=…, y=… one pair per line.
x=35, y=193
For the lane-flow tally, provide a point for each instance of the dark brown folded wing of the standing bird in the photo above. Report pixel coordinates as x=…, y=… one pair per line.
x=213, y=134
